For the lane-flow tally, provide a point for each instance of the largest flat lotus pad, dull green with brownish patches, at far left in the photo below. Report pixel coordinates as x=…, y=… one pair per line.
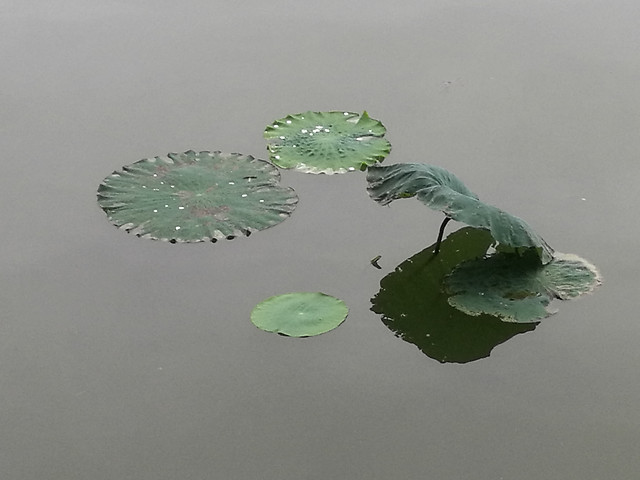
x=196, y=196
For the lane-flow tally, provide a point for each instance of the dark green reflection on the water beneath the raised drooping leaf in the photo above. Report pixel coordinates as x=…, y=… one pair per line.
x=414, y=307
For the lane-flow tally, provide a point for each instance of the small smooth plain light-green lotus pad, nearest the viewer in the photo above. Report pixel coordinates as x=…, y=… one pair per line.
x=302, y=314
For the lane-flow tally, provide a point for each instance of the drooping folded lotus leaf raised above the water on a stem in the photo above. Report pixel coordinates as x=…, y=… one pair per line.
x=440, y=190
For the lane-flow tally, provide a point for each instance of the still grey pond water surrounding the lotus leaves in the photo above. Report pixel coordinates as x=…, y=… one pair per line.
x=132, y=359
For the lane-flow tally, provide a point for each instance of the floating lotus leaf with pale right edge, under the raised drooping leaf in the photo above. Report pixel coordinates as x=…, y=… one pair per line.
x=517, y=288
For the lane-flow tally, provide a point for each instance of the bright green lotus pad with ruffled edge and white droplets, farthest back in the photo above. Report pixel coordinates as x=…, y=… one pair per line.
x=326, y=142
